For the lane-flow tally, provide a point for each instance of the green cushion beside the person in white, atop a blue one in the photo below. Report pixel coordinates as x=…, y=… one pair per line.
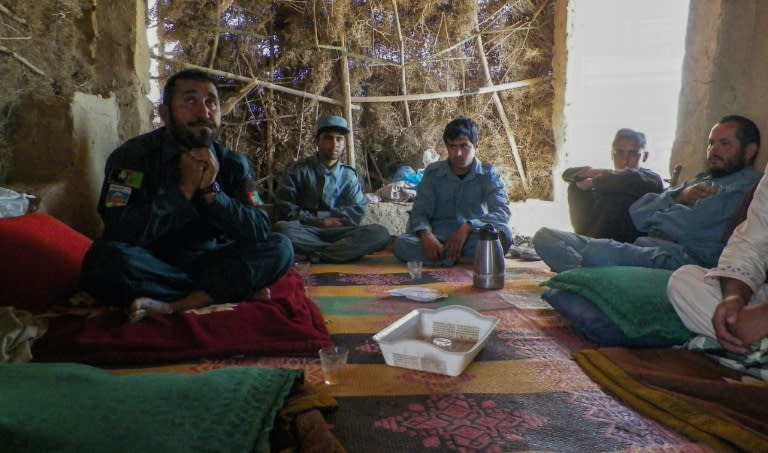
x=635, y=298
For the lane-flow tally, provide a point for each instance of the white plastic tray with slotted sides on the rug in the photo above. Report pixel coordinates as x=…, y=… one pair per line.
x=406, y=343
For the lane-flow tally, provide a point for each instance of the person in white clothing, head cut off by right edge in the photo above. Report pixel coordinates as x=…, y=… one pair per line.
x=730, y=302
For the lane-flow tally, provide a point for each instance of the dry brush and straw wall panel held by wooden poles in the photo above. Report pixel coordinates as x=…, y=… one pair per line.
x=300, y=44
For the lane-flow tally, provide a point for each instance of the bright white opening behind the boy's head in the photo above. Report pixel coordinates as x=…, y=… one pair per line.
x=624, y=70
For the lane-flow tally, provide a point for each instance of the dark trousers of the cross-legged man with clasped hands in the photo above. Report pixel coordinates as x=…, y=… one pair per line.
x=116, y=273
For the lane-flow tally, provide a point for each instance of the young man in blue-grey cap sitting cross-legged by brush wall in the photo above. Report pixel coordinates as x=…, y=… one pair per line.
x=319, y=202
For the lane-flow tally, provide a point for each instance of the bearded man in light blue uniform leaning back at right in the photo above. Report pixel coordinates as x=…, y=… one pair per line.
x=684, y=225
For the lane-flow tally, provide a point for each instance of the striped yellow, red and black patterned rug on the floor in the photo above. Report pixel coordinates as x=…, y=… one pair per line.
x=522, y=393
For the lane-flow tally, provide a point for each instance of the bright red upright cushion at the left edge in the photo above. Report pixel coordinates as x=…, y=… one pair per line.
x=40, y=259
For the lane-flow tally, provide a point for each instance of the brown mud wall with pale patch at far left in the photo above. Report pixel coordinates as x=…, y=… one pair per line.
x=58, y=143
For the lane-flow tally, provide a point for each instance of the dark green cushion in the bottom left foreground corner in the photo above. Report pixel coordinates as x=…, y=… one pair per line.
x=68, y=407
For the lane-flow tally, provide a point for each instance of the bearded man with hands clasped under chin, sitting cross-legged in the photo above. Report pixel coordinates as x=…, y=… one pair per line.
x=182, y=228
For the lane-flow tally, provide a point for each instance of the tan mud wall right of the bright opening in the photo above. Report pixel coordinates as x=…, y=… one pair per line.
x=722, y=75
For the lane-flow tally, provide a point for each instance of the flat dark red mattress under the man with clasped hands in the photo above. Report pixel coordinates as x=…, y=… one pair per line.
x=289, y=324
